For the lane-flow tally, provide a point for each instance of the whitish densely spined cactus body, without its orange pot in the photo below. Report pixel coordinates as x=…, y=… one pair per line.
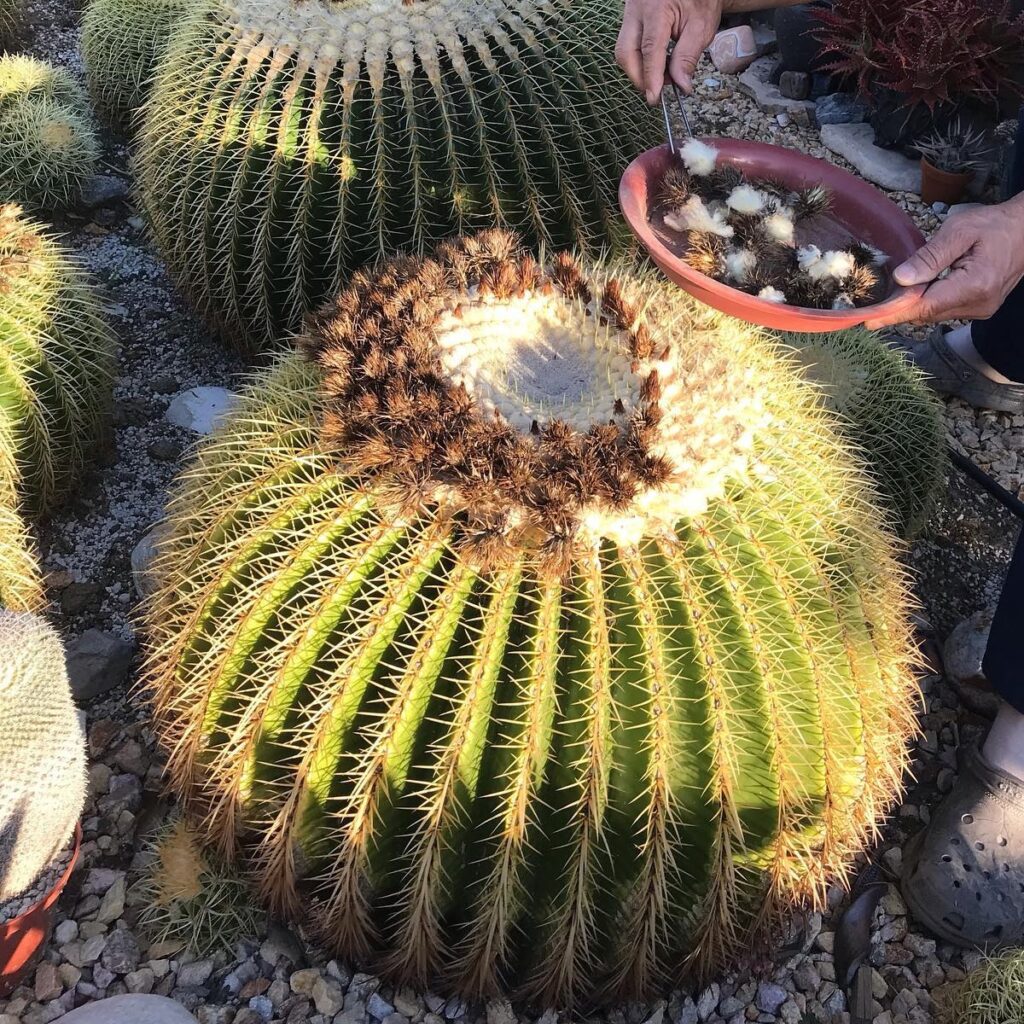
x=42, y=754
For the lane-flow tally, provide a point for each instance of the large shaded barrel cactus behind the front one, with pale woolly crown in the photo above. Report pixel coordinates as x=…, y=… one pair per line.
x=288, y=143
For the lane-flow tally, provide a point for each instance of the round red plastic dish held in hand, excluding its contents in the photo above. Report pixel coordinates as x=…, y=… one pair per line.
x=860, y=212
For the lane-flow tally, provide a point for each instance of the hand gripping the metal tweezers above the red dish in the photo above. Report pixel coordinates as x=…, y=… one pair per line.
x=649, y=27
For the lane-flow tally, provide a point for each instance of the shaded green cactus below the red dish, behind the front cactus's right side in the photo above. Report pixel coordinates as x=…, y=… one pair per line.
x=891, y=414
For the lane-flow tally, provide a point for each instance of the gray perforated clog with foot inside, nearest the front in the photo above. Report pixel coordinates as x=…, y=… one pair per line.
x=964, y=875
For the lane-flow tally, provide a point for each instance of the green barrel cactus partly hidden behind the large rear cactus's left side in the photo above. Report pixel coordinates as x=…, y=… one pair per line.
x=122, y=42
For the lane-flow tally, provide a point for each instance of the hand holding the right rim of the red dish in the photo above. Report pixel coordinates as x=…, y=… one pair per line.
x=984, y=250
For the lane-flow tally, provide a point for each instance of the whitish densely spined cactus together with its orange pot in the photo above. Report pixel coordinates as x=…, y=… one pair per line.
x=42, y=787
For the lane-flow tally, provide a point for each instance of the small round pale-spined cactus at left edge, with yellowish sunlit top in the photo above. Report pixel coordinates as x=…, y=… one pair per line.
x=49, y=146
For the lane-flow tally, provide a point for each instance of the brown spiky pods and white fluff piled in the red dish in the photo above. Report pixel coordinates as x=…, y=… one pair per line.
x=771, y=266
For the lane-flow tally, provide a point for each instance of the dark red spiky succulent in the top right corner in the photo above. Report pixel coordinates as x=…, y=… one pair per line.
x=931, y=52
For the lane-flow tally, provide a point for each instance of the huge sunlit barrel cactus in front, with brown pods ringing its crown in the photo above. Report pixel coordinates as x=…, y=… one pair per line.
x=539, y=636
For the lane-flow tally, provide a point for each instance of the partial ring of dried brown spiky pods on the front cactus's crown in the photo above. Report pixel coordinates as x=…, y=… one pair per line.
x=394, y=413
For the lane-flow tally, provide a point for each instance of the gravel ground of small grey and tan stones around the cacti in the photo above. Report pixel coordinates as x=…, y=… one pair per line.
x=98, y=948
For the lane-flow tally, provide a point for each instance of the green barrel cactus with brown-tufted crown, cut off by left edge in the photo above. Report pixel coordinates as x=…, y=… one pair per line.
x=57, y=363
